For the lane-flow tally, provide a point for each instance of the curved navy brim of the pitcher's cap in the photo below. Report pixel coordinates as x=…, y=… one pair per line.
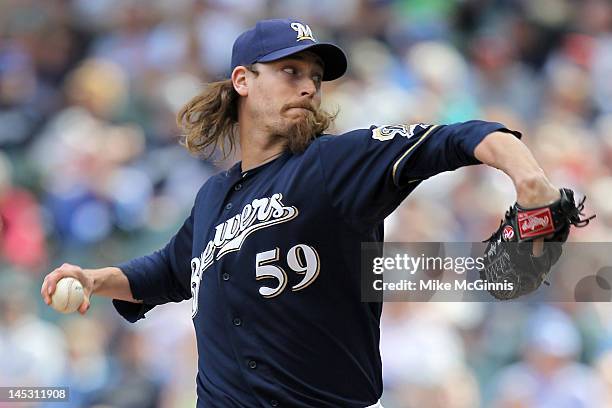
x=333, y=57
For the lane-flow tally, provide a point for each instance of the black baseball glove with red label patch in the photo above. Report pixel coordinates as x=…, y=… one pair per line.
x=508, y=256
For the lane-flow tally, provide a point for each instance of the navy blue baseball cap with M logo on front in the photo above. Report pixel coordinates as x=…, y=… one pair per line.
x=271, y=40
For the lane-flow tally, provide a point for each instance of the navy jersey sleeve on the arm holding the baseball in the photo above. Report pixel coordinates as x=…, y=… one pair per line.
x=161, y=277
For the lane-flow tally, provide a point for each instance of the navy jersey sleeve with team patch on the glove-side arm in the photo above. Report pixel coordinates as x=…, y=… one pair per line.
x=368, y=172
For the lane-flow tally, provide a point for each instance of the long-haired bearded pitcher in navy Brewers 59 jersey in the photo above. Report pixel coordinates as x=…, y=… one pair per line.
x=270, y=255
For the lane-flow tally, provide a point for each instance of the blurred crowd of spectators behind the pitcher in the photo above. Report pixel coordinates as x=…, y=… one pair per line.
x=91, y=173
